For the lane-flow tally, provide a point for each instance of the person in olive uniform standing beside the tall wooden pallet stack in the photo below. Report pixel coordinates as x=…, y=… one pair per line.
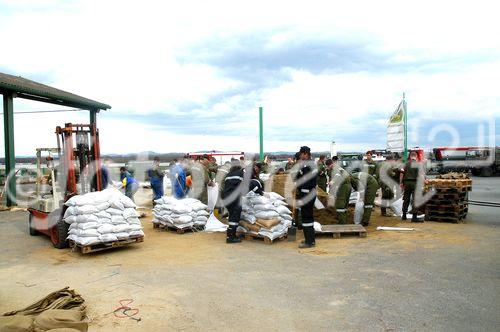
x=409, y=178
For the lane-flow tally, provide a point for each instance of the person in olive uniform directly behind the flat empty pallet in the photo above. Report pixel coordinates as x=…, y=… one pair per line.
x=340, y=188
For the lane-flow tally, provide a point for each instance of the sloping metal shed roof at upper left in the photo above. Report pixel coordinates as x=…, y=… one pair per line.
x=28, y=89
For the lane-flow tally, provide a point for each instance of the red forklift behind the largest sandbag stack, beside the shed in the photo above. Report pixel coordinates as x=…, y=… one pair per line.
x=78, y=172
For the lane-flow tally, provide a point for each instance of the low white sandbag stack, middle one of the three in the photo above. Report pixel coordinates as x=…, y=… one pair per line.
x=180, y=213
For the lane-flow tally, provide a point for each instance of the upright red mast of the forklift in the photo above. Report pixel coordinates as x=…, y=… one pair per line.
x=80, y=160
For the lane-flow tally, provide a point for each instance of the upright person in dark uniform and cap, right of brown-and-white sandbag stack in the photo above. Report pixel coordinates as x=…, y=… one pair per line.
x=306, y=195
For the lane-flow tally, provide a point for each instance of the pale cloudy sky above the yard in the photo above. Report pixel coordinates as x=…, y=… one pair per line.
x=190, y=75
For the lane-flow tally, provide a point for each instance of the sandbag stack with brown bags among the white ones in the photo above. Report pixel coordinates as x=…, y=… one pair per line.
x=265, y=216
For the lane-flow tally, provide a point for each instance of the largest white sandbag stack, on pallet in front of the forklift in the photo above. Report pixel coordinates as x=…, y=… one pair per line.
x=102, y=217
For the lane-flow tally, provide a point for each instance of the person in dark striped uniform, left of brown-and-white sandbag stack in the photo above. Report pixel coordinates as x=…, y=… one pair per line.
x=232, y=196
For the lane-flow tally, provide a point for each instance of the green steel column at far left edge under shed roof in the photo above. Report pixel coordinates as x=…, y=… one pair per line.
x=10, y=157
